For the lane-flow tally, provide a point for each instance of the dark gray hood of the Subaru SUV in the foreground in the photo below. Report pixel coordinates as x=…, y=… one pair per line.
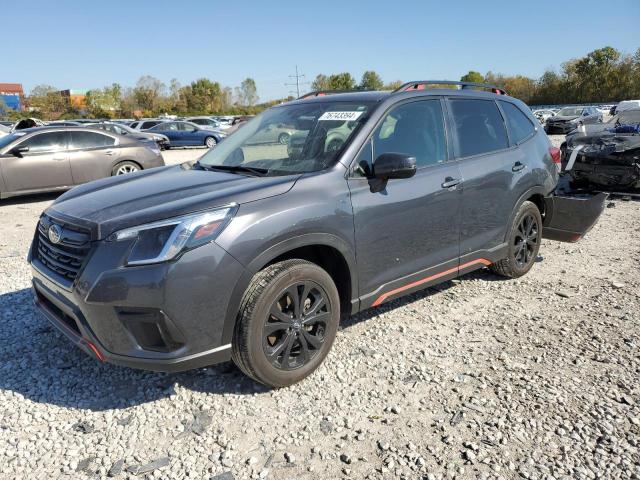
x=114, y=203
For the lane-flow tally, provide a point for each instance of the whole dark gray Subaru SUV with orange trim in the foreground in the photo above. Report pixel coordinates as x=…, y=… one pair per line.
x=256, y=251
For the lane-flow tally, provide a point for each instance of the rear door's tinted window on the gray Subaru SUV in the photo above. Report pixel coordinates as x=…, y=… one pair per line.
x=479, y=126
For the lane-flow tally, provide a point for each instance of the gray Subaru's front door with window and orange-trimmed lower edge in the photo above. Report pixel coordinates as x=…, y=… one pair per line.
x=407, y=235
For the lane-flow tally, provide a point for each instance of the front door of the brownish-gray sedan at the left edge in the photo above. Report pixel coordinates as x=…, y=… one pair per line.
x=44, y=165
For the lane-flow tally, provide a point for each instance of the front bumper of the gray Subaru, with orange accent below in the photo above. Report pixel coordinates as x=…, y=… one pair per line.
x=166, y=317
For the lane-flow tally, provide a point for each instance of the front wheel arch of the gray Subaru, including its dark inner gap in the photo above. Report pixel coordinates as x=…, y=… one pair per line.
x=327, y=251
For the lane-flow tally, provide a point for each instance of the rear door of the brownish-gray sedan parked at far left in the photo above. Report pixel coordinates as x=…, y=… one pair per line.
x=92, y=155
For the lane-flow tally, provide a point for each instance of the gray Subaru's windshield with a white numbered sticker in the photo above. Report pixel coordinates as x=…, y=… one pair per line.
x=298, y=138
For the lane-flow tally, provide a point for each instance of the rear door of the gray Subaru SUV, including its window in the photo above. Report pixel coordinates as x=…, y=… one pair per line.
x=492, y=173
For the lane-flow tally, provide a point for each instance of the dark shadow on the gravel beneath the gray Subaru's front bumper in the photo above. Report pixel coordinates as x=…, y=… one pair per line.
x=40, y=364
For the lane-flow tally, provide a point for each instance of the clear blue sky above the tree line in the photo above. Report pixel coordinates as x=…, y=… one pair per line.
x=89, y=44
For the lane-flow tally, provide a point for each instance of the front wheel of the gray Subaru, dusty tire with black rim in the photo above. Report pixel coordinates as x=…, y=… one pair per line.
x=297, y=343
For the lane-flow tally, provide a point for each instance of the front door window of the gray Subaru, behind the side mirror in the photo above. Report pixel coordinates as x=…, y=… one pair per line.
x=415, y=129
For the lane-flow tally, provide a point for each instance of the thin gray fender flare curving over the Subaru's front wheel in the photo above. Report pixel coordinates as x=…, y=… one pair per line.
x=268, y=255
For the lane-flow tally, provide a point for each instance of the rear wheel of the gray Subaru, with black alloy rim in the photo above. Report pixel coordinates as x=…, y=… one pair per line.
x=519, y=261
